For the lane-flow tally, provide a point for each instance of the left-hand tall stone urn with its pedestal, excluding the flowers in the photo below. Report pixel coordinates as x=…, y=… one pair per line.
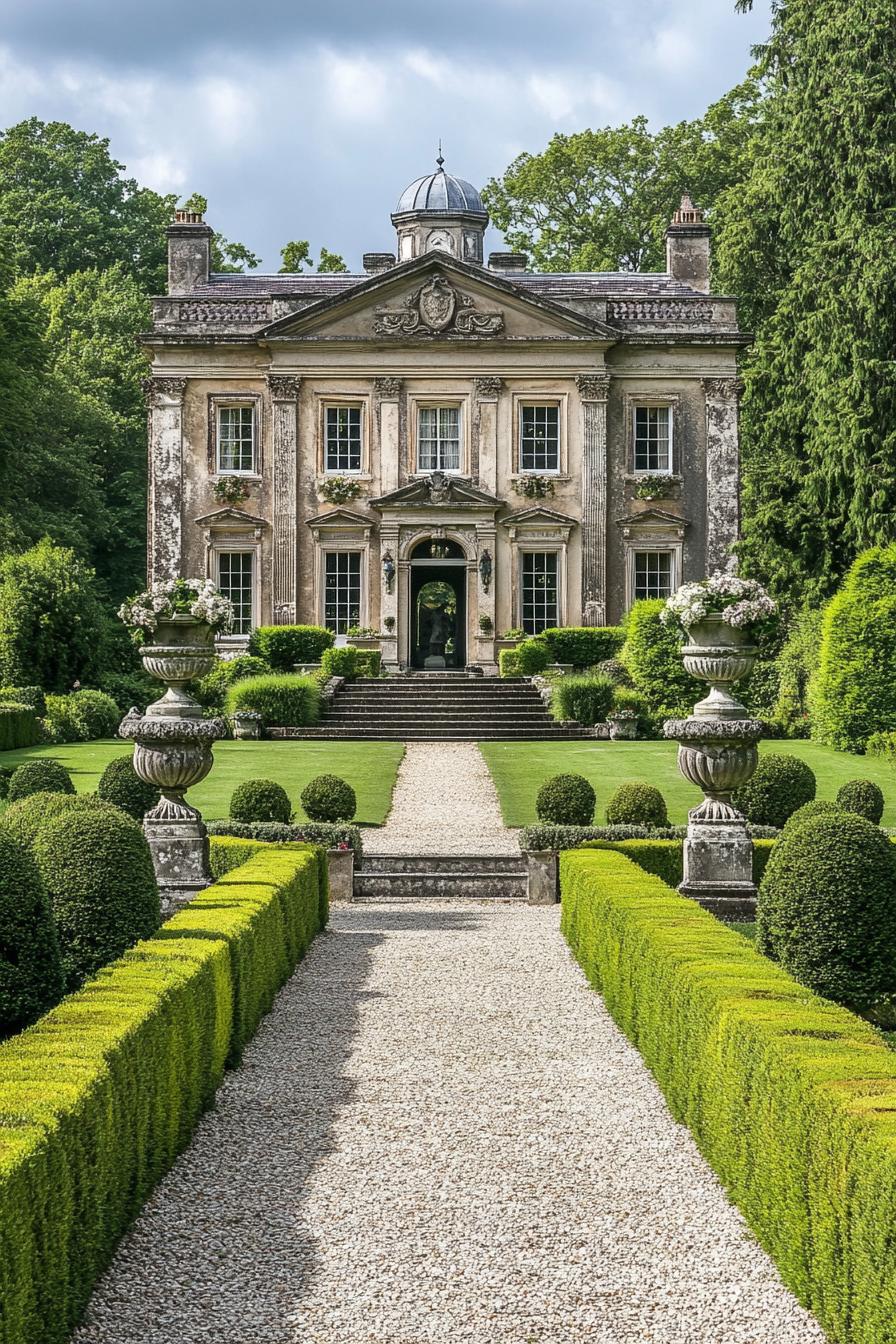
x=174, y=752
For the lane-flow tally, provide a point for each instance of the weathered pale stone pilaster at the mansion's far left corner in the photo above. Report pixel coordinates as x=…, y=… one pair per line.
x=166, y=503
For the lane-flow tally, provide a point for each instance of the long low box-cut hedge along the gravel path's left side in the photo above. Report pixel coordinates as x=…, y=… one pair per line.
x=107, y=1089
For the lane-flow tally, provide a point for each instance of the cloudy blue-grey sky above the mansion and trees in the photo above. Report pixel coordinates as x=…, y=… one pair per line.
x=306, y=120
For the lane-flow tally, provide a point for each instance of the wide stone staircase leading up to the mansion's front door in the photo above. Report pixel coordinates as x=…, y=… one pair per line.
x=433, y=708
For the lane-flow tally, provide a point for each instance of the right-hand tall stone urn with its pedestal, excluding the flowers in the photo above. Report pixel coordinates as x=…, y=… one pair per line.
x=718, y=753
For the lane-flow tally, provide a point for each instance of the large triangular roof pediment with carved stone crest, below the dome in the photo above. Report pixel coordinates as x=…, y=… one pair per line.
x=437, y=299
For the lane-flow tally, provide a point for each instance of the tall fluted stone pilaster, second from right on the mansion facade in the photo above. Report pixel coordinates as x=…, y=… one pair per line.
x=594, y=390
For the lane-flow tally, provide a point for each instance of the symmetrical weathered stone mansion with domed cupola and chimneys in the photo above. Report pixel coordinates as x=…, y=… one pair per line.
x=443, y=432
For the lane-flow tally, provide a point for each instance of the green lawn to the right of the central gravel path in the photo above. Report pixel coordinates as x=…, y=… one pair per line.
x=521, y=768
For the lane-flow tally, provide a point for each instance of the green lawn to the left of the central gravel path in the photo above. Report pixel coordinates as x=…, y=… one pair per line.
x=369, y=767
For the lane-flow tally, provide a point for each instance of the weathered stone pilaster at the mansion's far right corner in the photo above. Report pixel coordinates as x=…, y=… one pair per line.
x=723, y=472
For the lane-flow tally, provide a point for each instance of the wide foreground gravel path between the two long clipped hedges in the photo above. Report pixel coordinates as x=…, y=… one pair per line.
x=439, y=1135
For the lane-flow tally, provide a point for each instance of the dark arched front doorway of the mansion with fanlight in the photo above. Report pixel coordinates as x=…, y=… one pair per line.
x=439, y=605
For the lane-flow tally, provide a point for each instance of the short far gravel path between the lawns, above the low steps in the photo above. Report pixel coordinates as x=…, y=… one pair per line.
x=444, y=803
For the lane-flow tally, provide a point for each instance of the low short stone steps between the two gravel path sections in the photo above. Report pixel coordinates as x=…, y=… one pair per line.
x=384, y=877
